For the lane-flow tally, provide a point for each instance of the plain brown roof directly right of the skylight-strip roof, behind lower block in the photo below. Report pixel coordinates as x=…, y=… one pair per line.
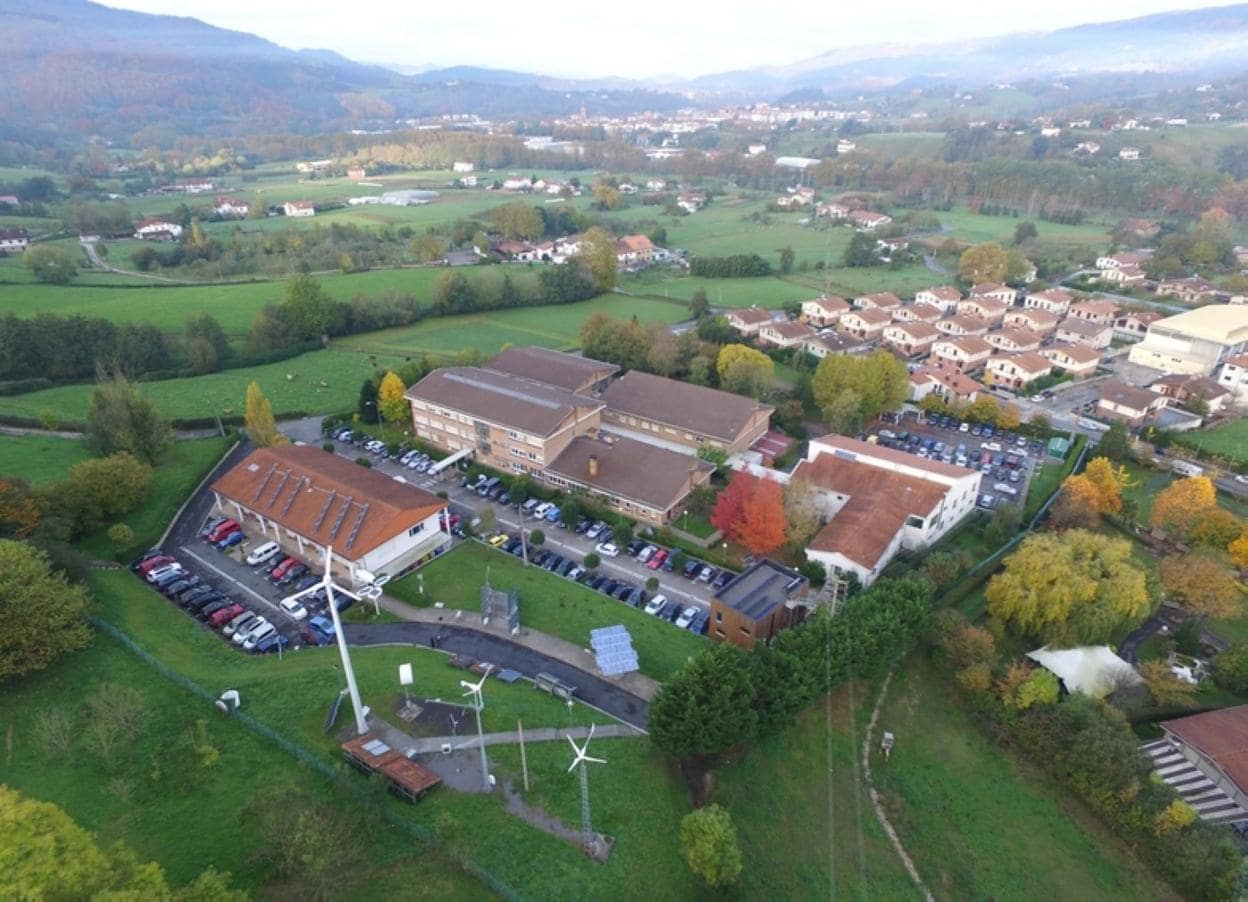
x=680, y=405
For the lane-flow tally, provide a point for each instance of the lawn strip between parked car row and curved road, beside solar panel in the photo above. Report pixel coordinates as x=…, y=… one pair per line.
x=550, y=604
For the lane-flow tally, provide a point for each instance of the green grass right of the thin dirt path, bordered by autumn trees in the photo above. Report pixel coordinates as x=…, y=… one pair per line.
x=978, y=823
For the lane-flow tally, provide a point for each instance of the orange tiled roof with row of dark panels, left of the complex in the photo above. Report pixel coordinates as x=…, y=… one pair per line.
x=326, y=498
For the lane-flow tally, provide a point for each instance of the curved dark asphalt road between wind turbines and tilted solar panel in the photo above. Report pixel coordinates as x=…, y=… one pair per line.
x=496, y=651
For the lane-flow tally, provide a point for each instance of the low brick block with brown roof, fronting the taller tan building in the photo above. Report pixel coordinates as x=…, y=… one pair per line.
x=640, y=480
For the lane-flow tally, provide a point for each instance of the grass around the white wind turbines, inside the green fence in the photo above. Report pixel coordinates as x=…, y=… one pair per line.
x=637, y=800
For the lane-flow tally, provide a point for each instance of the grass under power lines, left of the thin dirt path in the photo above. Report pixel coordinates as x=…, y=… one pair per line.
x=799, y=819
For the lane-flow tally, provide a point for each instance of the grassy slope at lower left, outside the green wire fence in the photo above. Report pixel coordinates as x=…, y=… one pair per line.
x=188, y=819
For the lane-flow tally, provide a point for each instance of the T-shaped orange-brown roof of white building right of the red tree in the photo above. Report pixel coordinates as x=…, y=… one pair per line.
x=879, y=503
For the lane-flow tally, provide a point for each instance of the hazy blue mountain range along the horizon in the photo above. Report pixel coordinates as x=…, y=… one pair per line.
x=74, y=68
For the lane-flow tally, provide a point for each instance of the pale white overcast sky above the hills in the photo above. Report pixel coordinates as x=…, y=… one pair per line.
x=640, y=39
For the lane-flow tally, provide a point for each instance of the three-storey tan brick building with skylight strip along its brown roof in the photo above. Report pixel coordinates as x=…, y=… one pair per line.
x=511, y=424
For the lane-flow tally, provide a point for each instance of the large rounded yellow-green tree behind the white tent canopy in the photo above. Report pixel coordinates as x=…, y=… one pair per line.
x=1069, y=588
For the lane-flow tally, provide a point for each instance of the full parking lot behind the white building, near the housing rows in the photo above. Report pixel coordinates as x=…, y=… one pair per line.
x=1005, y=460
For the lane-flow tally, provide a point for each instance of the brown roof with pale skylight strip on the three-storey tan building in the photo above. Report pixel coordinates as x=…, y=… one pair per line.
x=501, y=399
